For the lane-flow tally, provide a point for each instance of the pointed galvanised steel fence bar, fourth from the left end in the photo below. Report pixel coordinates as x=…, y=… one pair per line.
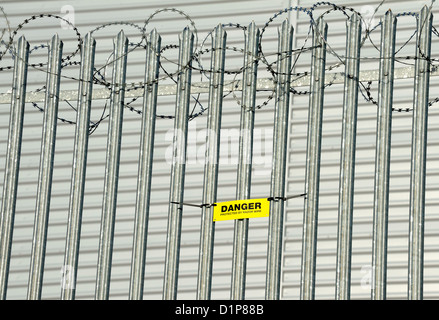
x=112, y=168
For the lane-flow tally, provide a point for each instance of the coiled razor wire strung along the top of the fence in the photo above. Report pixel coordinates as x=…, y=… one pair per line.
x=100, y=78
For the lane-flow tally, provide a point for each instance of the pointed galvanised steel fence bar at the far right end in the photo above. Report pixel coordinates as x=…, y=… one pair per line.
x=419, y=156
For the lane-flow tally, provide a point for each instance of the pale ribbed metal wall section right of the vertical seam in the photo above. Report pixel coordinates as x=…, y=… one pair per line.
x=365, y=168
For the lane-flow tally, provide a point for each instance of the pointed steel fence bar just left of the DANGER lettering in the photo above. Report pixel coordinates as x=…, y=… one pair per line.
x=211, y=165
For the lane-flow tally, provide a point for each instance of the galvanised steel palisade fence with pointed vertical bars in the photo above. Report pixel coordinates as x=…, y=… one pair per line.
x=278, y=196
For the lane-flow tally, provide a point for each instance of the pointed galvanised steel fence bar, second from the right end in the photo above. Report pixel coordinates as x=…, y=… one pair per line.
x=382, y=157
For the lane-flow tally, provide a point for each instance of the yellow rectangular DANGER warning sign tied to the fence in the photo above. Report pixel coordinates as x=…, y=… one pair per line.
x=241, y=209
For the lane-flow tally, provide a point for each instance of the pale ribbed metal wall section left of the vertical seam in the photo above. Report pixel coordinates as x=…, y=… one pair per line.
x=206, y=15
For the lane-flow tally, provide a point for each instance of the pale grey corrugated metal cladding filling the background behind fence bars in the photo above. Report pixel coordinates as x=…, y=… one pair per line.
x=206, y=15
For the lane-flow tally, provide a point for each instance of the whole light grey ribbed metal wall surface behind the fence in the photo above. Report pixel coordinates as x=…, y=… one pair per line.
x=90, y=15
